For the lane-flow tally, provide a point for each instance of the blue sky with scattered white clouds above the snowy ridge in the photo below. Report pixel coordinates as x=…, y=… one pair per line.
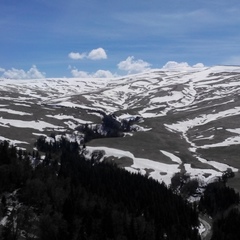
x=57, y=38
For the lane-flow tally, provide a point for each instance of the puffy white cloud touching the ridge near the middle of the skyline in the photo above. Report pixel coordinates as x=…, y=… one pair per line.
x=133, y=66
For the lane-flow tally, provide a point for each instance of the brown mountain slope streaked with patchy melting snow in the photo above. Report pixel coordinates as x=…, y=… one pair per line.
x=191, y=117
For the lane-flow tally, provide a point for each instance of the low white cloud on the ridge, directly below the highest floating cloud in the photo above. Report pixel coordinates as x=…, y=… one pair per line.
x=98, y=74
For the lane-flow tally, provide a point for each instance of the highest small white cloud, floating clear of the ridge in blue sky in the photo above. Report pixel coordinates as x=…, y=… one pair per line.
x=95, y=54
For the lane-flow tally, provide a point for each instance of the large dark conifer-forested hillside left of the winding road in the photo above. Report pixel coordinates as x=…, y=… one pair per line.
x=65, y=196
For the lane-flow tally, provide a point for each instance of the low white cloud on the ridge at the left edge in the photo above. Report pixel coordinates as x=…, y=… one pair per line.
x=32, y=73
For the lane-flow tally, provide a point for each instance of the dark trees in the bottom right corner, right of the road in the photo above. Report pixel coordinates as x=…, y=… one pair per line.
x=219, y=201
